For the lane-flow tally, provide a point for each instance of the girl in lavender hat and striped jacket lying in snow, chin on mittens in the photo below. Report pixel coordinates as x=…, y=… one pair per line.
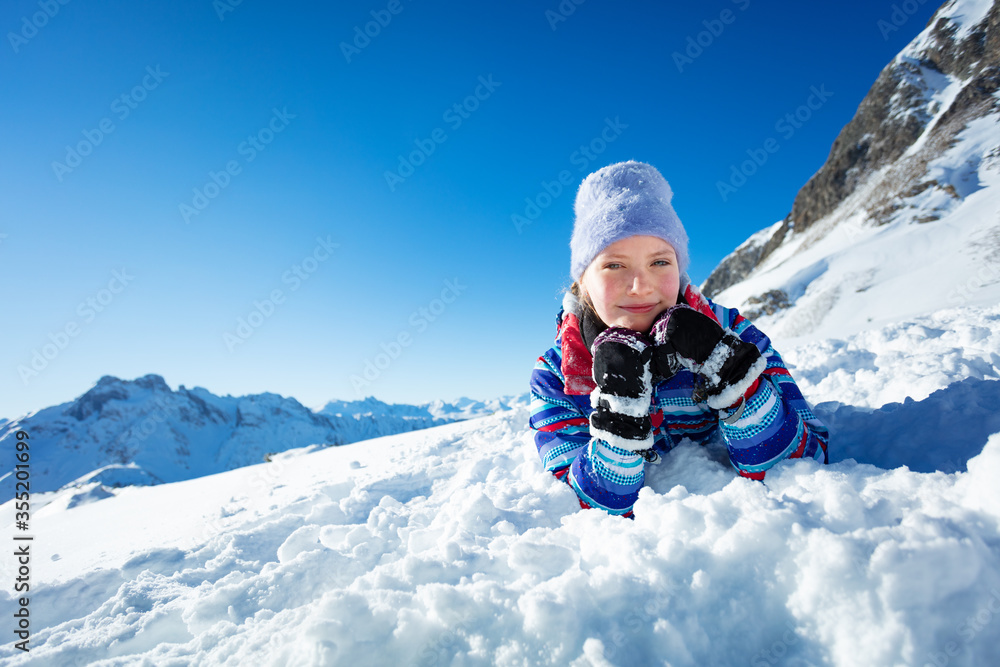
x=642, y=360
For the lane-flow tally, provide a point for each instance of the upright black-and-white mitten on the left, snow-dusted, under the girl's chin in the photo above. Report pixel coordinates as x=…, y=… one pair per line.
x=624, y=381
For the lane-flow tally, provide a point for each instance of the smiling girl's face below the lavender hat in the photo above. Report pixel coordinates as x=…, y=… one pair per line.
x=632, y=281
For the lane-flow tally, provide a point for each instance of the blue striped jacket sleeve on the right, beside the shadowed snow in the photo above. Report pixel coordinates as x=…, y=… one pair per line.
x=776, y=422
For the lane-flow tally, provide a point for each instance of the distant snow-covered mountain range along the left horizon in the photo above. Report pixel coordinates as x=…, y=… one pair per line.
x=141, y=432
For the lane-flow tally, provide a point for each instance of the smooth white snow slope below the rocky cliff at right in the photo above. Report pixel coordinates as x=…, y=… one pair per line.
x=850, y=276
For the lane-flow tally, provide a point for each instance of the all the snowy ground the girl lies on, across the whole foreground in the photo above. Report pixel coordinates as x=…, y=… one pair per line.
x=452, y=546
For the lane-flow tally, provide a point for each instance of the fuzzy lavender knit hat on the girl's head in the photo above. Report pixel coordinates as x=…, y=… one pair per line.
x=622, y=200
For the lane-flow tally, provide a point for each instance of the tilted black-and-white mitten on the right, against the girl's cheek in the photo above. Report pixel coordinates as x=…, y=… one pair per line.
x=726, y=365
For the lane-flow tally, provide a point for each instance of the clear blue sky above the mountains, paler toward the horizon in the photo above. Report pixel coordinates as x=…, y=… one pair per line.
x=308, y=134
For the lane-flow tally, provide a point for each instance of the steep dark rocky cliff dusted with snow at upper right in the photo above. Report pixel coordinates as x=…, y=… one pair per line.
x=880, y=158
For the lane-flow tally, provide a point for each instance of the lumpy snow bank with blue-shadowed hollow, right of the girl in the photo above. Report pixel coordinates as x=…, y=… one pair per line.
x=921, y=393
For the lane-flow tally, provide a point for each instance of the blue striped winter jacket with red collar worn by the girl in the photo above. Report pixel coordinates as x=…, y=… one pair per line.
x=776, y=422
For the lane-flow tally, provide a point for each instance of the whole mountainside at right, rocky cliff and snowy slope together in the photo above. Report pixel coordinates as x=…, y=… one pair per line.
x=903, y=219
